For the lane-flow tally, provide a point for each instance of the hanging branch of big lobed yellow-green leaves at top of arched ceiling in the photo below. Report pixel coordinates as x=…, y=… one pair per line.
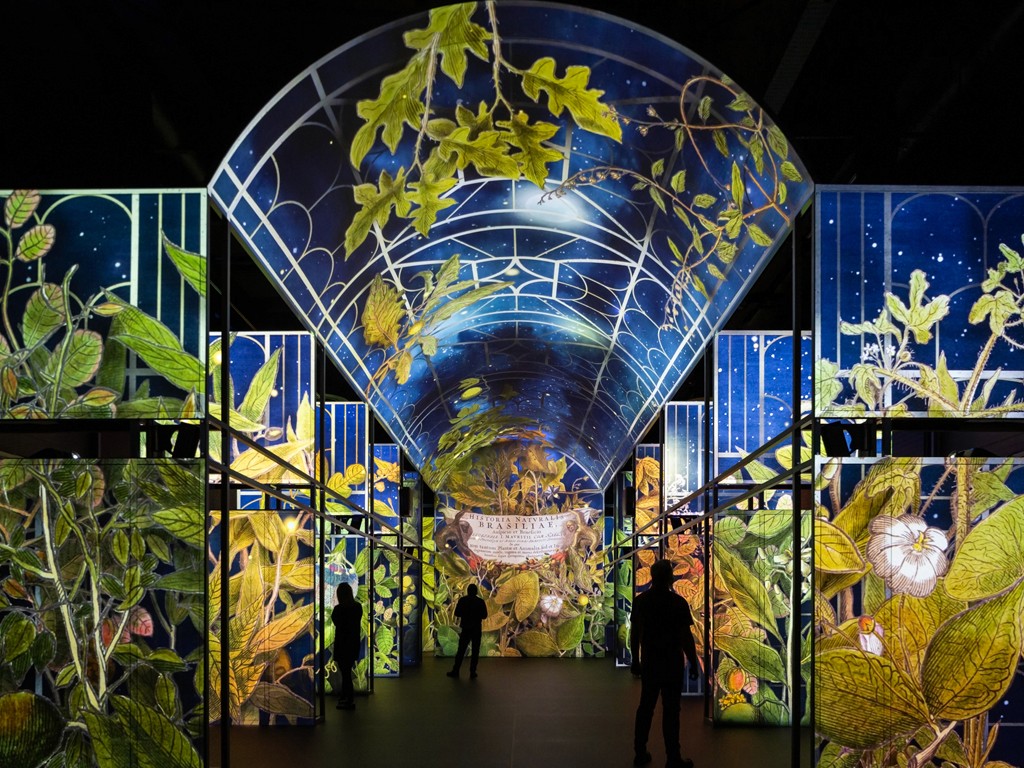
x=496, y=141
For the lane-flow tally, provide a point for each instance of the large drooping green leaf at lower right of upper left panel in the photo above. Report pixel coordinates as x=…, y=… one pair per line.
x=161, y=350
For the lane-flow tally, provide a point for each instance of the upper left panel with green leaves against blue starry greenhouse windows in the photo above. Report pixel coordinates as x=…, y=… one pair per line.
x=103, y=305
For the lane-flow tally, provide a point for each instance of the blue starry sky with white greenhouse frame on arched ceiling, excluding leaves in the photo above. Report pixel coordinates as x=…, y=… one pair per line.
x=587, y=344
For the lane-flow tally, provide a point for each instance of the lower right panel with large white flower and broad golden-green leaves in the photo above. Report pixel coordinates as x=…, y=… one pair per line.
x=919, y=573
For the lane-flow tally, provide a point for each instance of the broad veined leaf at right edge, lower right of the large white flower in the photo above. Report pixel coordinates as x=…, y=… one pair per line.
x=972, y=660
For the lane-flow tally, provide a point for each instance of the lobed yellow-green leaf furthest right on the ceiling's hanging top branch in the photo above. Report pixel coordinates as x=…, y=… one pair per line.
x=571, y=93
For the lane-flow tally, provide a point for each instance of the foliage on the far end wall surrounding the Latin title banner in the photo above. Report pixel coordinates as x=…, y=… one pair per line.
x=556, y=607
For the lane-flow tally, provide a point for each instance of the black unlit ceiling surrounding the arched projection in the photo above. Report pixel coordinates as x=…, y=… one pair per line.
x=153, y=94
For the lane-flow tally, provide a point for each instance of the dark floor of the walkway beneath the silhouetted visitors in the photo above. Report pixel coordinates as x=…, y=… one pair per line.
x=529, y=713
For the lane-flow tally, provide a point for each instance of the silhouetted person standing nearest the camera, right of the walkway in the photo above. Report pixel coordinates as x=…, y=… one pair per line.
x=660, y=635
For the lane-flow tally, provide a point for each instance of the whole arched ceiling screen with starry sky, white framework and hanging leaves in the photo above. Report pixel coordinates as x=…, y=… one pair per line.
x=514, y=222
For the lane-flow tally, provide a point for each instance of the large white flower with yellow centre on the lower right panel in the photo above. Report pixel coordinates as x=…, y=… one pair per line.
x=907, y=554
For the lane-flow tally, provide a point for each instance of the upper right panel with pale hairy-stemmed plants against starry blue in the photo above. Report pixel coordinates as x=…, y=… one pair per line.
x=921, y=300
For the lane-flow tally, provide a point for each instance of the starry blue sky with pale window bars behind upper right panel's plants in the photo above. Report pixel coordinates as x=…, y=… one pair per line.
x=871, y=240
